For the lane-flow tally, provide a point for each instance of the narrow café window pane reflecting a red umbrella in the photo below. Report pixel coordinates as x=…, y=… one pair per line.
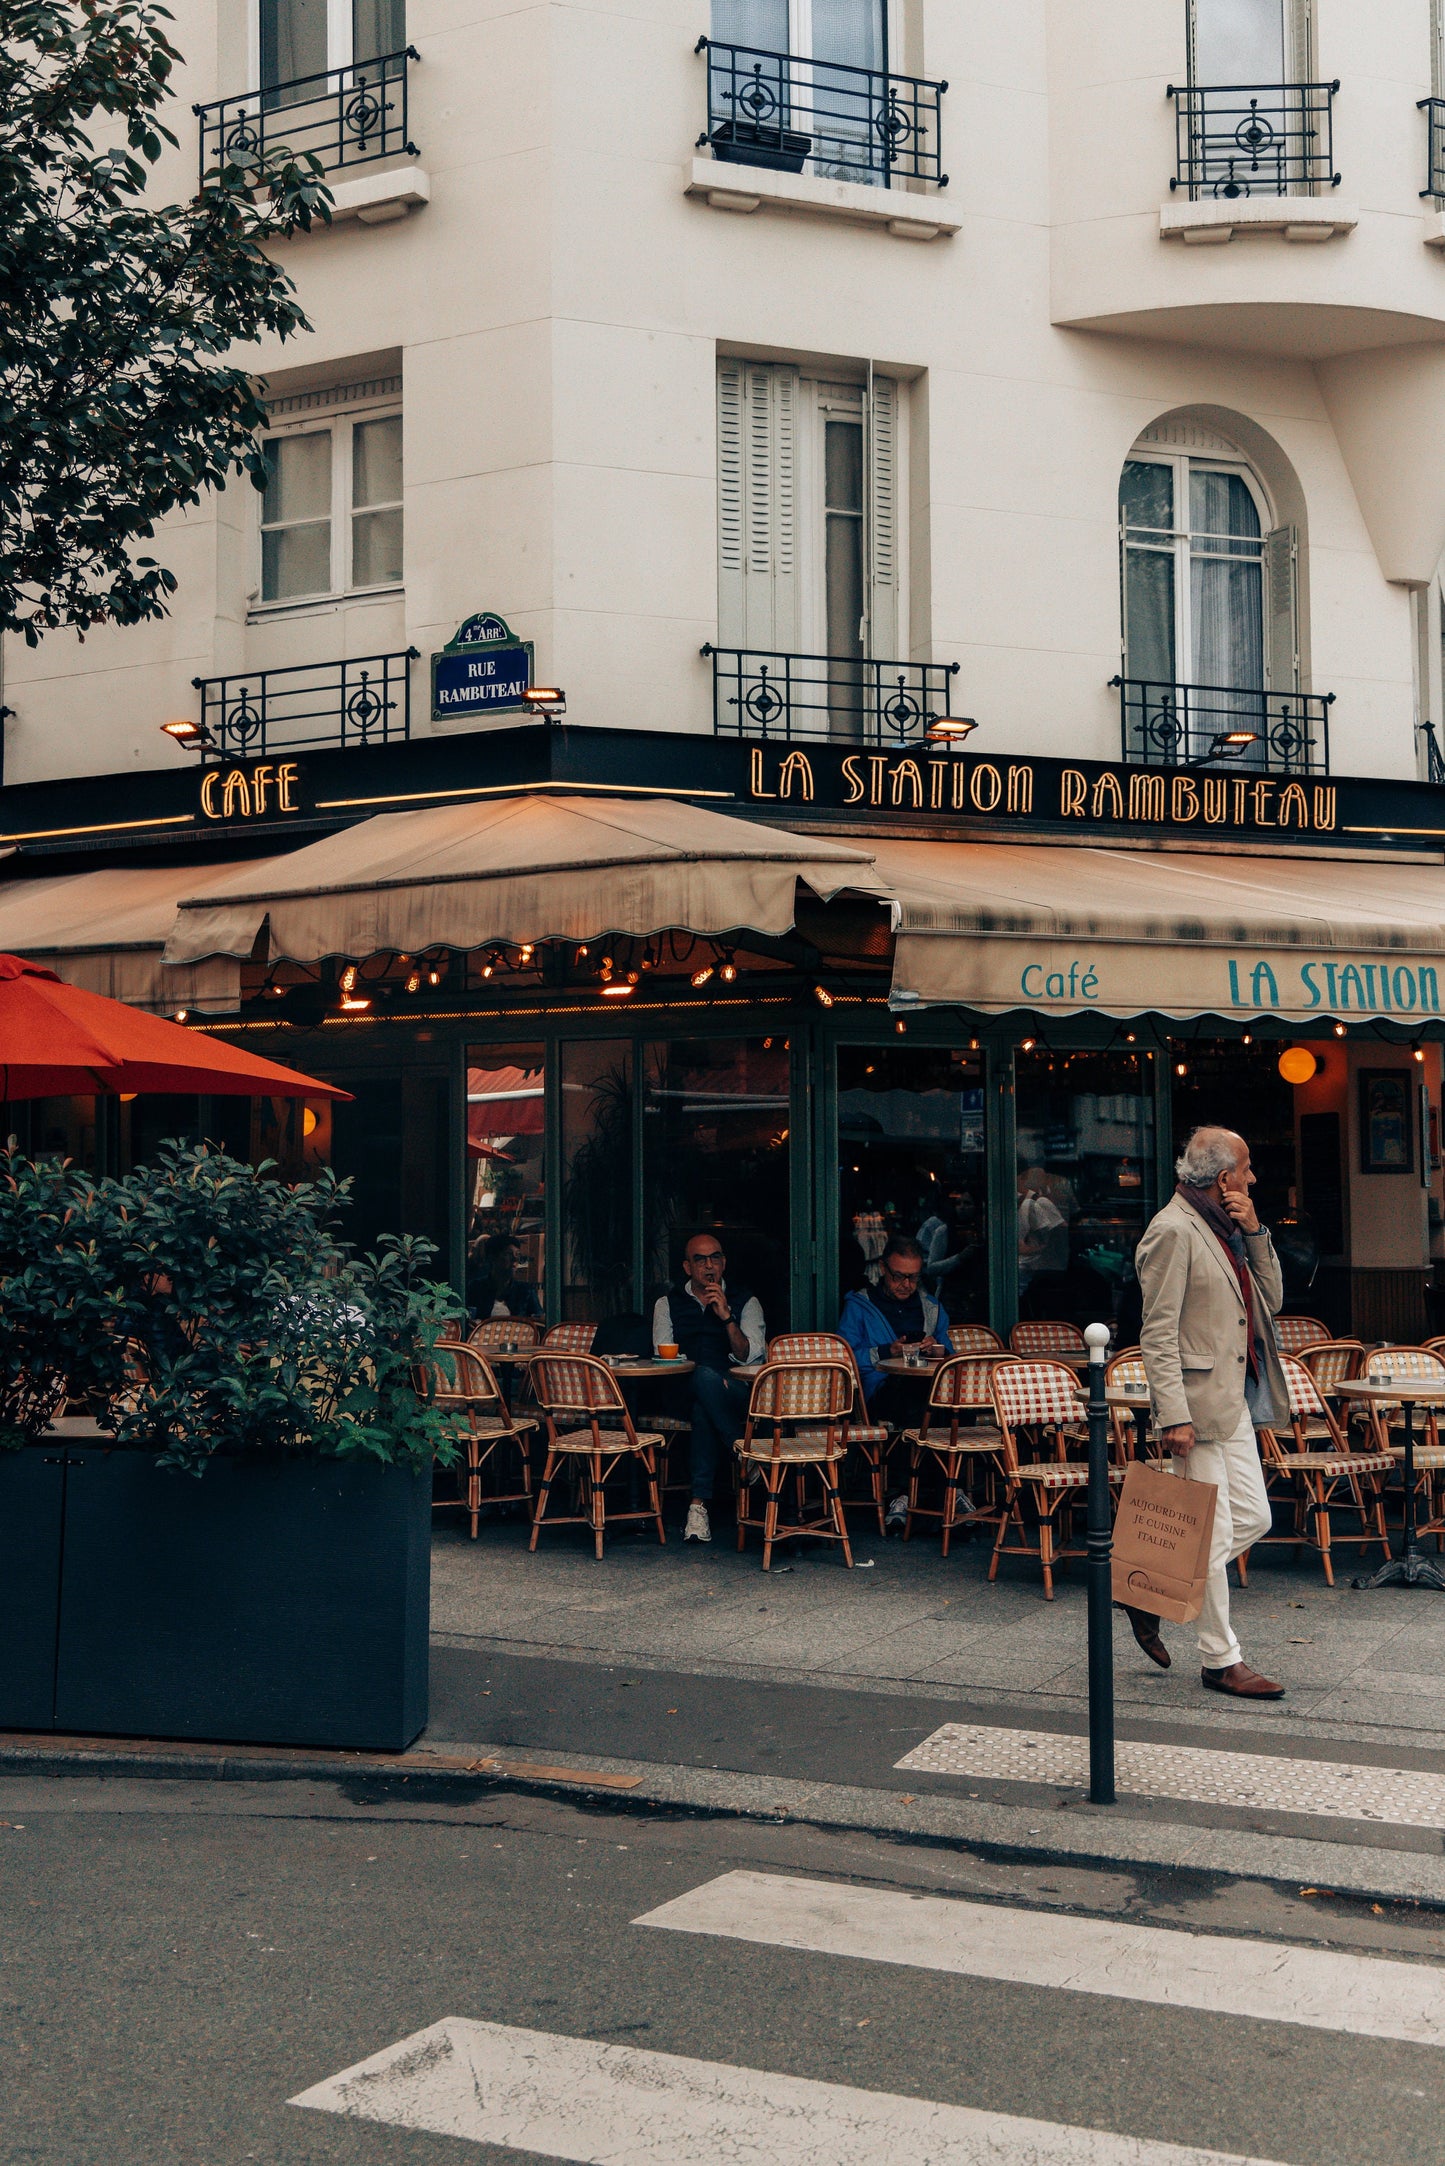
x=506, y=1231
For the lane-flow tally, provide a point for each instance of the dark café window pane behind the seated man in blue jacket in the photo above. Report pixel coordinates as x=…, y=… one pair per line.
x=913, y=1162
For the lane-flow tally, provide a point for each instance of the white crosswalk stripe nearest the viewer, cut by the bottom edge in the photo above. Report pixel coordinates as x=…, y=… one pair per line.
x=619, y=2106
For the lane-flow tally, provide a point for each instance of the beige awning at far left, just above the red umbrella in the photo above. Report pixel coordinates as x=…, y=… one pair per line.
x=107, y=932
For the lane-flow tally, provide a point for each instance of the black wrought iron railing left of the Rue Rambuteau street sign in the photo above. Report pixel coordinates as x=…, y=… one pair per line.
x=309, y=707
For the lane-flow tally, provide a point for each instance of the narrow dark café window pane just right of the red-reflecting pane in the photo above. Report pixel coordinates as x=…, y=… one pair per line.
x=597, y=1179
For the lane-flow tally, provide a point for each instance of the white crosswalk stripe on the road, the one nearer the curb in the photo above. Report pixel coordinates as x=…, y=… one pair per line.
x=1266, y=1981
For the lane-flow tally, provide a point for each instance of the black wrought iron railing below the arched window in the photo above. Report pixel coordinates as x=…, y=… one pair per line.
x=1277, y=733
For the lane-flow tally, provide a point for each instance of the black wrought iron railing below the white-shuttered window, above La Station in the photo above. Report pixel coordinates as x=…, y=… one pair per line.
x=822, y=696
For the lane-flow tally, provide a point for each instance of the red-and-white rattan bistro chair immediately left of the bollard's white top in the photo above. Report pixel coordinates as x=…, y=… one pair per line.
x=1043, y=1424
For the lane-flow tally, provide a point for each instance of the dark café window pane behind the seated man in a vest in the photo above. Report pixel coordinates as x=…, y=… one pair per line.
x=716, y=1156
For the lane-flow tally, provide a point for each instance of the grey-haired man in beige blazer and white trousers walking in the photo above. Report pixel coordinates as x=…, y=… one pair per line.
x=1212, y=1290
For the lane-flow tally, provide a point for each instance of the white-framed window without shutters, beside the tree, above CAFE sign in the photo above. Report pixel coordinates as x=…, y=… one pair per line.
x=330, y=519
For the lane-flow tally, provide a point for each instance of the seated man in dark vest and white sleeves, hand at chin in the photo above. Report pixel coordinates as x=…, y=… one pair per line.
x=716, y=1325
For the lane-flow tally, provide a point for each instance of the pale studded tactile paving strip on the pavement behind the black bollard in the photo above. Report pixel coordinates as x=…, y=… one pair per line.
x=1401, y=1797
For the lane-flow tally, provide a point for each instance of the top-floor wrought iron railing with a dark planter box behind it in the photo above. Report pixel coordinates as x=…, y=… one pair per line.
x=787, y=114
